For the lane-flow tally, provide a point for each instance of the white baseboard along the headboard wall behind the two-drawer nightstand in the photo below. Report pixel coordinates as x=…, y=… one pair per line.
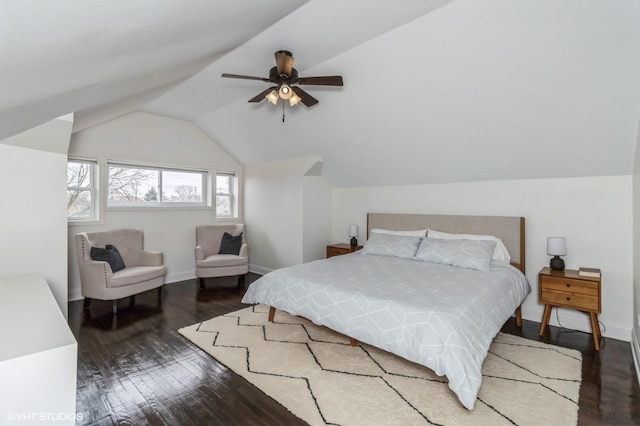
x=575, y=320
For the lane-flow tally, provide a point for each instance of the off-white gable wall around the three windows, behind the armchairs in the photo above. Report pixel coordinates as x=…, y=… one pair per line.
x=154, y=140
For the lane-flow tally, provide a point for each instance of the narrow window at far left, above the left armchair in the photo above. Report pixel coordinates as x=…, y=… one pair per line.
x=81, y=190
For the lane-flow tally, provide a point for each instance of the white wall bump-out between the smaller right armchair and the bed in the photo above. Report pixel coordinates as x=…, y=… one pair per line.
x=280, y=212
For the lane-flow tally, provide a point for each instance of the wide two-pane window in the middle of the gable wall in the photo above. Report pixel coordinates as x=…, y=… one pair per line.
x=130, y=185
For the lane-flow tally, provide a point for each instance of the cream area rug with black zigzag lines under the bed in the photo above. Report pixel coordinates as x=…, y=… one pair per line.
x=319, y=377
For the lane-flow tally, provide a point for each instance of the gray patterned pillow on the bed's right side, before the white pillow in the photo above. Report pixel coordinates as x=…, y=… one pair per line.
x=471, y=254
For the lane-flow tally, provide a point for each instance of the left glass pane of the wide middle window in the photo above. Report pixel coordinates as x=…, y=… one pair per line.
x=132, y=185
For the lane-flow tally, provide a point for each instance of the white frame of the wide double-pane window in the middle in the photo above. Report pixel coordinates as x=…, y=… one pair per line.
x=159, y=203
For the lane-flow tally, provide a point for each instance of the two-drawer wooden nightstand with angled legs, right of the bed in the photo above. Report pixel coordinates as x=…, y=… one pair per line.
x=568, y=289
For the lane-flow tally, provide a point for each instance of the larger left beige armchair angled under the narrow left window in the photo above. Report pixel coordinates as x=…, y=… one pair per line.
x=143, y=269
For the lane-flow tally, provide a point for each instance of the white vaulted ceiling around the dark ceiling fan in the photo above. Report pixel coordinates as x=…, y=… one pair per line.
x=435, y=90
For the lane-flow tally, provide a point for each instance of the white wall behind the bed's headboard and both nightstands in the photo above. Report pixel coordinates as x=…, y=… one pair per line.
x=594, y=214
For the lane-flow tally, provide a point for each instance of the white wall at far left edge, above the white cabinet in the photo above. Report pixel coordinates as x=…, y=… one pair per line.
x=33, y=220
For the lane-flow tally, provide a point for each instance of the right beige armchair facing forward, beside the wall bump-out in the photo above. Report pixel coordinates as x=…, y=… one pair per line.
x=211, y=263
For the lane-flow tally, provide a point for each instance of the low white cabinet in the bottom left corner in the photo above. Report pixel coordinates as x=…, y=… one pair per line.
x=38, y=355
